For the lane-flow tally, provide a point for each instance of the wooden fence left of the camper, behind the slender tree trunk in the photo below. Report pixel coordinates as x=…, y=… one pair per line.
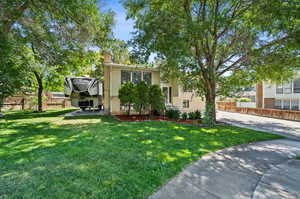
x=28, y=102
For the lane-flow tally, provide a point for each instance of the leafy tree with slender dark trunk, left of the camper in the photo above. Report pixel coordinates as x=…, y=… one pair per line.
x=58, y=33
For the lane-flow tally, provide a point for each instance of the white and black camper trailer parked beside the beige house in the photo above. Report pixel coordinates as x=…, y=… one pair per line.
x=84, y=92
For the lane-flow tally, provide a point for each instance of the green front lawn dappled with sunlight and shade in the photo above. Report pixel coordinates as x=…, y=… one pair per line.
x=46, y=156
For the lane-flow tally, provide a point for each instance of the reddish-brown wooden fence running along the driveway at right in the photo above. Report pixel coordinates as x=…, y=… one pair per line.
x=274, y=113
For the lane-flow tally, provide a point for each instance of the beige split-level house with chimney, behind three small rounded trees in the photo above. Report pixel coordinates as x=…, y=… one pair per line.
x=116, y=74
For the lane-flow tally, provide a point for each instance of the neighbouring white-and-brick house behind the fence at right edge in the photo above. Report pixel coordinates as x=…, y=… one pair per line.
x=279, y=96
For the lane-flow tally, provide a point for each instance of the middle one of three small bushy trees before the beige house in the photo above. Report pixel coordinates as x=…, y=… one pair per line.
x=141, y=98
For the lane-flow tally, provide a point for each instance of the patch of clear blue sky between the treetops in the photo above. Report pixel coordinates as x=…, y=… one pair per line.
x=123, y=27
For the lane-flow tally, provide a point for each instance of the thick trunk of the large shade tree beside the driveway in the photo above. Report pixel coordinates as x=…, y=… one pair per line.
x=210, y=105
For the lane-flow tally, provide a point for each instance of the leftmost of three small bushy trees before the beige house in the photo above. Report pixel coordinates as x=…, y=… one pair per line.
x=127, y=95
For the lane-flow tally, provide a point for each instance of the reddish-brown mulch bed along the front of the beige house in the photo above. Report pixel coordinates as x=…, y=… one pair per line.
x=141, y=118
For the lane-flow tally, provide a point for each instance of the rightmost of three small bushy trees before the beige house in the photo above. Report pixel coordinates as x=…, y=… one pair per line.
x=156, y=99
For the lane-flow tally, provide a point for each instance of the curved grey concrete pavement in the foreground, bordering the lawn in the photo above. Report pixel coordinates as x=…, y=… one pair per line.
x=259, y=170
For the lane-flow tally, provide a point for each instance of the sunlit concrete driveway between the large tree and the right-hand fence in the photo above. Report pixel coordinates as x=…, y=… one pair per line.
x=287, y=128
